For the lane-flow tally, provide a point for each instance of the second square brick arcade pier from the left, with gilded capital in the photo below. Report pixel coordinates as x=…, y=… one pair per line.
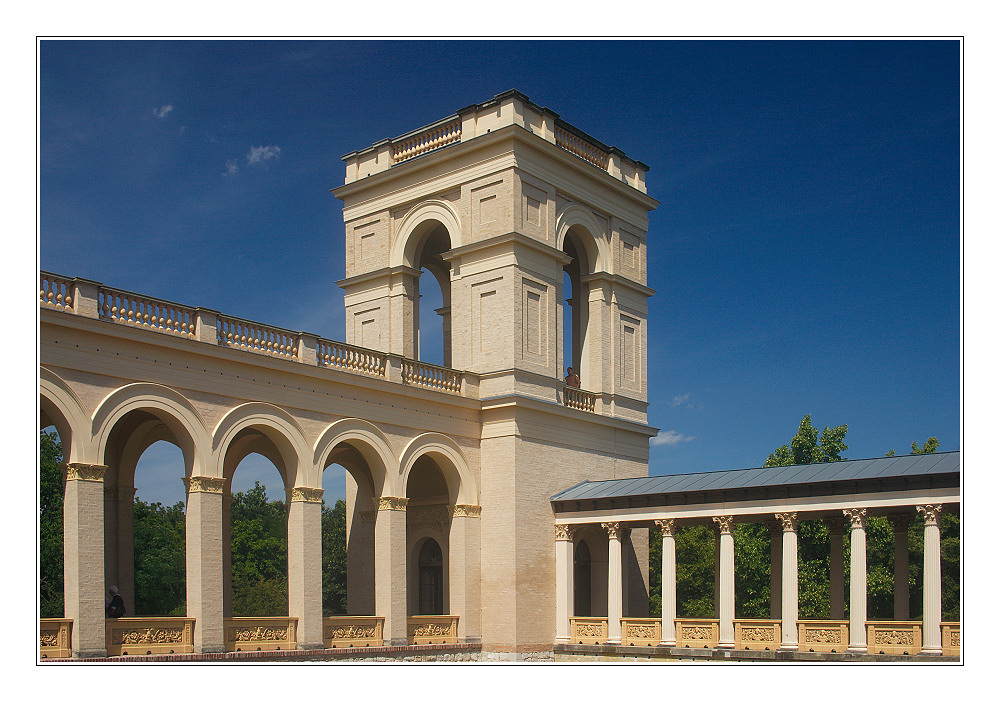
x=203, y=557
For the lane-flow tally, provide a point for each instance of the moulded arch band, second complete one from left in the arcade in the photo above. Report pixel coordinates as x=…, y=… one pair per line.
x=279, y=426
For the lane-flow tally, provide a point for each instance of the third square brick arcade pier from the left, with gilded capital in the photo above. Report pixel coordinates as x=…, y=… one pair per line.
x=305, y=559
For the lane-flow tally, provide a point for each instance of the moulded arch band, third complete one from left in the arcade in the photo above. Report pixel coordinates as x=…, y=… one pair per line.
x=373, y=446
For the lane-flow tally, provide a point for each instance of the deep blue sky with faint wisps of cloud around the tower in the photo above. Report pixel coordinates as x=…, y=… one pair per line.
x=805, y=255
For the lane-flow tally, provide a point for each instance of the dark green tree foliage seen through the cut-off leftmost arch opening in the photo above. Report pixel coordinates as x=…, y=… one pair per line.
x=50, y=525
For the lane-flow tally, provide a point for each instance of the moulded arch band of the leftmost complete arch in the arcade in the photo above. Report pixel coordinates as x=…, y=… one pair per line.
x=167, y=404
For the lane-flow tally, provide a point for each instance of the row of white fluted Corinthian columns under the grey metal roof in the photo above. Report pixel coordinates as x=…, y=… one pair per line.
x=784, y=577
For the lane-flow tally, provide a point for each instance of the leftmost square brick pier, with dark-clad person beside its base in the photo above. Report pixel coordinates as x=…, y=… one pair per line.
x=83, y=558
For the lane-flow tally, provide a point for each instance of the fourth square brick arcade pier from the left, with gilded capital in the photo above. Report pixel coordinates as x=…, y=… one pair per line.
x=390, y=568
